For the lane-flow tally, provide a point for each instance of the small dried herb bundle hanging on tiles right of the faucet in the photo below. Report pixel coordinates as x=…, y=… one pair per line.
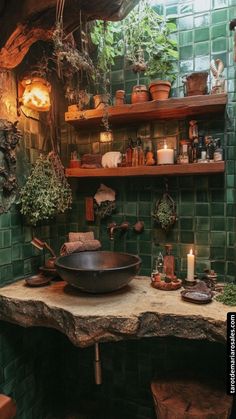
x=165, y=212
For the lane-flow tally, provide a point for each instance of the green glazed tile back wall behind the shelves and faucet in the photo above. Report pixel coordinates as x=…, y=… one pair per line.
x=205, y=204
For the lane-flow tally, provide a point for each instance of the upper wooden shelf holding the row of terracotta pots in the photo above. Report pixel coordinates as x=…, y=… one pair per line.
x=173, y=108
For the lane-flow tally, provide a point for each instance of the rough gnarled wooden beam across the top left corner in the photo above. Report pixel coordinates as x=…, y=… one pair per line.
x=25, y=22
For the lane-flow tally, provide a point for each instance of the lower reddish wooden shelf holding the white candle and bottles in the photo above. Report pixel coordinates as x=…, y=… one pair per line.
x=164, y=170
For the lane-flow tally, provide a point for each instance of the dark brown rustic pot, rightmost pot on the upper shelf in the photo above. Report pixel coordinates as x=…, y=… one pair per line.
x=195, y=83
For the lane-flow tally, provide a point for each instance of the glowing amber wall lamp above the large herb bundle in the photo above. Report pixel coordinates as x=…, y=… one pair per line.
x=36, y=94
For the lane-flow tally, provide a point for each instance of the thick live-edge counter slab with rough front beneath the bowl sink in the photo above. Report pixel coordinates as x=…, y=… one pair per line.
x=137, y=311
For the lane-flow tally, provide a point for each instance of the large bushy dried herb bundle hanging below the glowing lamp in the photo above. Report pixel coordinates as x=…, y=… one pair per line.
x=46, y=192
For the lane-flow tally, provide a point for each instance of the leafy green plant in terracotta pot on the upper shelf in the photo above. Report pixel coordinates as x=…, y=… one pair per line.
x=149, y=47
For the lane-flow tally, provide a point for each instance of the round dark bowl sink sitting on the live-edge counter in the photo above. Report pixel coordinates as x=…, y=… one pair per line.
x=98, y=271
